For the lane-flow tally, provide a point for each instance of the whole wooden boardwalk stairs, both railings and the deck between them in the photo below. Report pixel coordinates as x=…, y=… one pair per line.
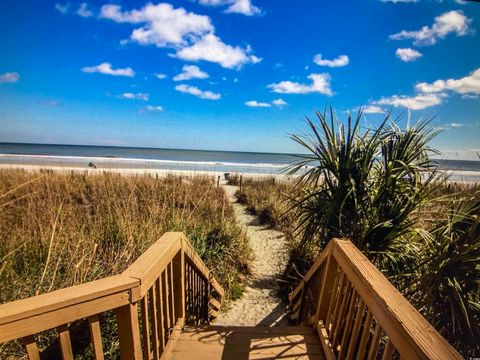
x=162, y=306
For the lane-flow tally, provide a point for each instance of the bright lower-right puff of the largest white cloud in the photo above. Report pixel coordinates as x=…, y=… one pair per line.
x=211, y=48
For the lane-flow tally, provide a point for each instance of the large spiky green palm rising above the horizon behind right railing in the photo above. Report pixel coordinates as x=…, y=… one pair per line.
x=365, y=185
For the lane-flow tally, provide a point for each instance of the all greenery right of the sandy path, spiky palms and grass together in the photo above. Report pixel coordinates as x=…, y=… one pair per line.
x=380, y=189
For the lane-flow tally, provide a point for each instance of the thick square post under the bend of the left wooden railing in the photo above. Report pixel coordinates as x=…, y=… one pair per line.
x=129, y=332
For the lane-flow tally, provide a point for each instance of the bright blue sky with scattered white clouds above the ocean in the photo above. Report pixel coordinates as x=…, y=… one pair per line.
x=235, y=75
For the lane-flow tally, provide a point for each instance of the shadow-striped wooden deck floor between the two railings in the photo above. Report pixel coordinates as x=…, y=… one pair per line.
x=247, y=342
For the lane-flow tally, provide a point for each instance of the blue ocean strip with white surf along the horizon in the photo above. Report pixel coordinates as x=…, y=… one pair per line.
x=111, y=157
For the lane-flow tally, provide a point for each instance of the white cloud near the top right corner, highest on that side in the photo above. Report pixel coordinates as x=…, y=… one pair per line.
x=450, y=22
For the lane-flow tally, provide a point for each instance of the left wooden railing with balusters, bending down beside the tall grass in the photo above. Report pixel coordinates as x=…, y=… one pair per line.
x=168, y=285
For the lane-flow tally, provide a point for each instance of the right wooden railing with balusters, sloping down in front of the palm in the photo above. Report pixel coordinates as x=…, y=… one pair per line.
x=357, y=310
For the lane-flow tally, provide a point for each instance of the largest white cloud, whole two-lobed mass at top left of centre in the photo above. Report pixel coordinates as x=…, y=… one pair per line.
x=191, y=35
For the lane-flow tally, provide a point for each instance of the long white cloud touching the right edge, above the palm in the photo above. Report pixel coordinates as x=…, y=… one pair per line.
x=467, y=85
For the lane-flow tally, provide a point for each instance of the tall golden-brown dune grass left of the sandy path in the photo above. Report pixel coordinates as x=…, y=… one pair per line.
x=59, y=230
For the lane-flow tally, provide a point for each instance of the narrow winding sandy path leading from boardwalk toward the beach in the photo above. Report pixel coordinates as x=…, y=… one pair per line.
x=259, y=305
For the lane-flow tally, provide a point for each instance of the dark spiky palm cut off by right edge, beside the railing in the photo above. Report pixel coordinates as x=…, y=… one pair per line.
x=448, y=285
